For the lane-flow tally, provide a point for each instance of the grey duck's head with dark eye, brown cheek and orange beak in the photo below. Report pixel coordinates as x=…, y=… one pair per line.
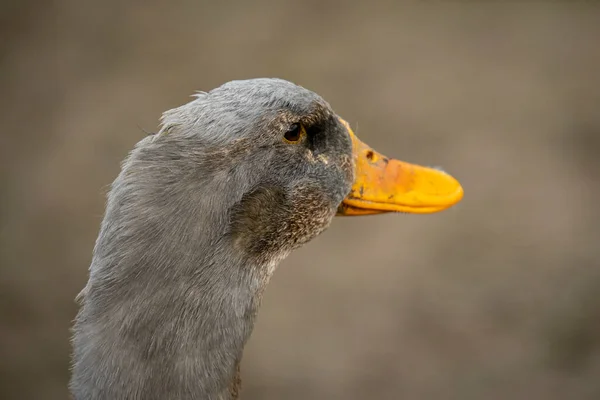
x=288, y=164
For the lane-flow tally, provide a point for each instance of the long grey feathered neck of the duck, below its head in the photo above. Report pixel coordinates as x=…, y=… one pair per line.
x=168, y=307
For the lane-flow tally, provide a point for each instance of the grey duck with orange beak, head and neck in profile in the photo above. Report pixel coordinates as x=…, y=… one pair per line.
x=197, y=221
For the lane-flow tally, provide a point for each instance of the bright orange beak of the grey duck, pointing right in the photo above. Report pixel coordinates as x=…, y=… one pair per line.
x=385, y=185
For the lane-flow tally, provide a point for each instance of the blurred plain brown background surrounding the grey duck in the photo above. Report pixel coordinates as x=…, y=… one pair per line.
x=496, y=298
